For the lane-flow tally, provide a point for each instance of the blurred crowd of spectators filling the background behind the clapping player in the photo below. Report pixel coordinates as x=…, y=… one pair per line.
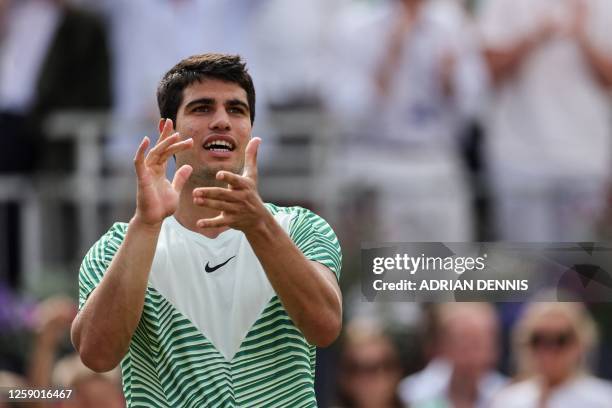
x=448, y=120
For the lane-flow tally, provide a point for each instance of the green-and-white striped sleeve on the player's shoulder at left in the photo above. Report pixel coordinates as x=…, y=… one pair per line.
x=98, y=259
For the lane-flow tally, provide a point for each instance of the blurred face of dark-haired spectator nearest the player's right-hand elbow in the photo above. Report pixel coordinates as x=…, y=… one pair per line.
x=370, y=373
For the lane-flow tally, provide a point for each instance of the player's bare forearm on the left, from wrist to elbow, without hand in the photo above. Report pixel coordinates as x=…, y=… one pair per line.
x=102, y=331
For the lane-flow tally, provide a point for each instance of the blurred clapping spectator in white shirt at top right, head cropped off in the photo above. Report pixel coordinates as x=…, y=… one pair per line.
x=550, y=123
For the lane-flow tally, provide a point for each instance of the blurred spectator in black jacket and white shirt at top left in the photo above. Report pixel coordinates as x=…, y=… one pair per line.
x=53, y=56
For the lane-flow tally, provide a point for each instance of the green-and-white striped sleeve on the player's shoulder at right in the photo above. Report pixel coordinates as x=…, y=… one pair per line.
x=316, y=239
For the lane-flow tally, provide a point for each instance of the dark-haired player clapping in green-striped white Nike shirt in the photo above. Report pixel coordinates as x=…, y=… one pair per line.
x=209, y=297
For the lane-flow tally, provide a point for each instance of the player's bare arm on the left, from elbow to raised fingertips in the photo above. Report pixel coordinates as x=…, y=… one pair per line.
x=103, y=330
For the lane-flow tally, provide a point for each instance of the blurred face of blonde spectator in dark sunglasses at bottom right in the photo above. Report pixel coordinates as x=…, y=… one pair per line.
x=555, y=348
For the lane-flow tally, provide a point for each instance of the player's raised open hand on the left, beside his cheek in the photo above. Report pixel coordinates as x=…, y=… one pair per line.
x=157, y=198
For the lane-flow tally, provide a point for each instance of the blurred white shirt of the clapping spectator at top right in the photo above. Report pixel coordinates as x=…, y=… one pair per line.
x=552, y=117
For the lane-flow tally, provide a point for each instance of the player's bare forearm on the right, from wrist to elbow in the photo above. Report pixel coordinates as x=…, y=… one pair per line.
x=305, y=288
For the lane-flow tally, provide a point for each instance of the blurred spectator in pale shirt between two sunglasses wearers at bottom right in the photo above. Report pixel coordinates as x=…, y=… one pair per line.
x=463, y=373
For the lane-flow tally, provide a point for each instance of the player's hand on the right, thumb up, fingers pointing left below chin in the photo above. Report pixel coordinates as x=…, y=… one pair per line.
x=240, y=205
